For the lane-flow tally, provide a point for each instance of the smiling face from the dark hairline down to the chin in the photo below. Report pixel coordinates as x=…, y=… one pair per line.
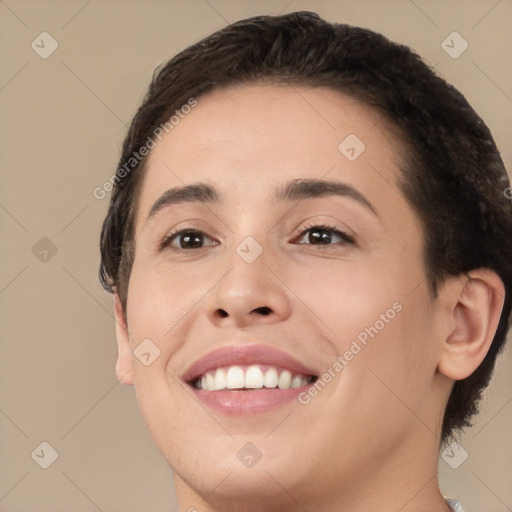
x=278, y=310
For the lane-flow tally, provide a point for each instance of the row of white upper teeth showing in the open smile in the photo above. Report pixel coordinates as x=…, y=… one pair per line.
x=253, y=377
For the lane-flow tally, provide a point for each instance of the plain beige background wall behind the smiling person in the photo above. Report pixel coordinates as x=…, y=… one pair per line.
x=63, y=120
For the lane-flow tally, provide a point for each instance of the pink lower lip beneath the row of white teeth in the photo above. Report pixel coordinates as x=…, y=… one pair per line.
x=262, y=400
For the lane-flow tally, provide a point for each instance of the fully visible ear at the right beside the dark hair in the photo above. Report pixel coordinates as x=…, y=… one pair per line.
x=475, y=313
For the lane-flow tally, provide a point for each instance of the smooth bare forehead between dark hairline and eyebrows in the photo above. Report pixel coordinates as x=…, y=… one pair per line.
x=247, y=139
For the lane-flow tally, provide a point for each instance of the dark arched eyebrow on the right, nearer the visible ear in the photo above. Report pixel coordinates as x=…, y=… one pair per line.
x=310, y=188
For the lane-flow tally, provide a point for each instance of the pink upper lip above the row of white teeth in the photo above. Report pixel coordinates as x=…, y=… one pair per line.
x=245, y=355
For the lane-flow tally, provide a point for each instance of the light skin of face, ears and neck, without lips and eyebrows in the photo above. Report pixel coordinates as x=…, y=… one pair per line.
x=370, y=439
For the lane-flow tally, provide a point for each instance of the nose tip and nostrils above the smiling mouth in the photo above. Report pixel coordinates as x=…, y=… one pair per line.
x=249, y=293
